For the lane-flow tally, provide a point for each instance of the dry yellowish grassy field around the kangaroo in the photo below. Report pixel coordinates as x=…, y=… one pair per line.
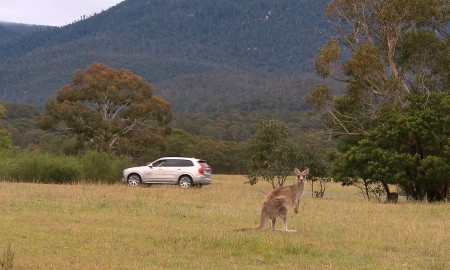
x=164, y=227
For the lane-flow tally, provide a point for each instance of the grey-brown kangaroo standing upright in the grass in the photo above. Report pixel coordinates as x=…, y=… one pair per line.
x=280, y=200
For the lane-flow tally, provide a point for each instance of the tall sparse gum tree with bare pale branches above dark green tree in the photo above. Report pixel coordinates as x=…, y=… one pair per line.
x=382, y=50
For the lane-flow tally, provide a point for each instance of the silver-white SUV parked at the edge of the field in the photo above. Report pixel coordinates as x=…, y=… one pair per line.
x=185, y=172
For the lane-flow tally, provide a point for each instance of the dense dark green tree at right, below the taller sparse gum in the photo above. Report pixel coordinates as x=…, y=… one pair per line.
x=411, y=150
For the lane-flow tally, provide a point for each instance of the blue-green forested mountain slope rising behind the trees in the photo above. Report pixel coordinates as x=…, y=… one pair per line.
x=201, y=55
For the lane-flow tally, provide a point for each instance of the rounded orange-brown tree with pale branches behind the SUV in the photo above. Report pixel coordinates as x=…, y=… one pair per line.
x=111, y=110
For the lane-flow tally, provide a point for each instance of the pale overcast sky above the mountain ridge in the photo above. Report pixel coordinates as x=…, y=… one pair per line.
x=51, y=12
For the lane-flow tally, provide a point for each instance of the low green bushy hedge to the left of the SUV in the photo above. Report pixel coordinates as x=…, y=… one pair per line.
x=40, y=167
